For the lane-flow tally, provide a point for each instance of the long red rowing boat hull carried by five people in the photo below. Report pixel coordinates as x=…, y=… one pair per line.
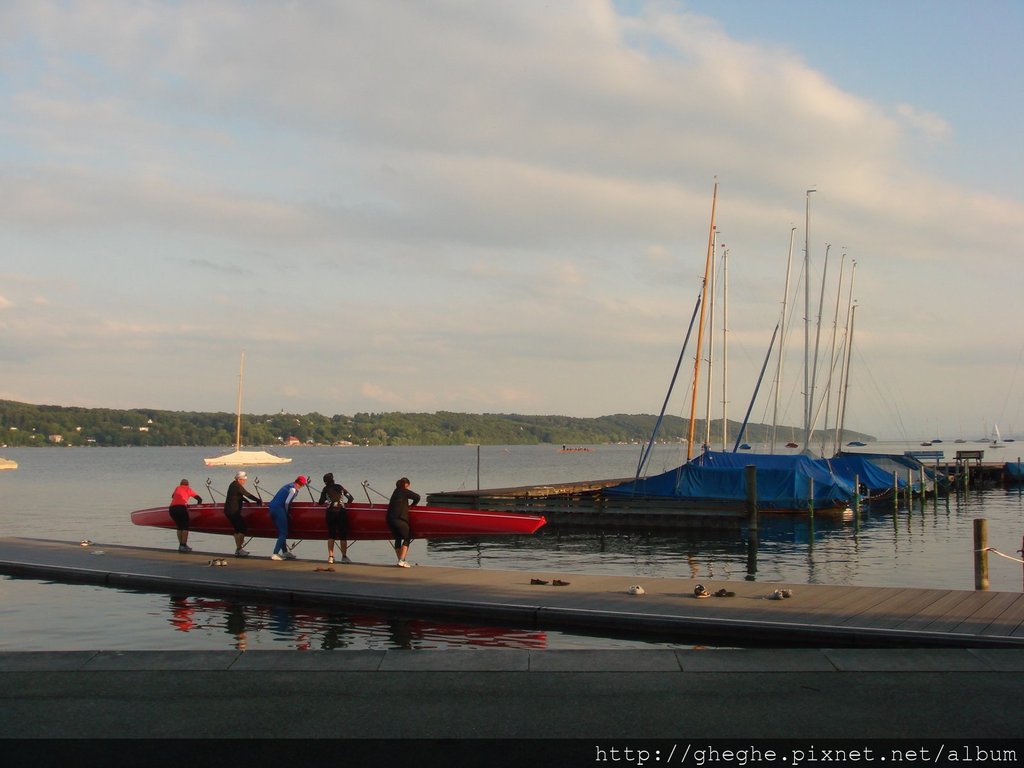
x=366, y=522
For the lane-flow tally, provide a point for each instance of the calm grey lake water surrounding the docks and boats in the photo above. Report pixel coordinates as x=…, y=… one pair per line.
x=76, y=494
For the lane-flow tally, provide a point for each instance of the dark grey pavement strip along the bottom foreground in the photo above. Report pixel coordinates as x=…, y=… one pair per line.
x=510, y=695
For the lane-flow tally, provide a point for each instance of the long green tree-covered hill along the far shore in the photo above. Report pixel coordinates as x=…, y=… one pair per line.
x=25, y=424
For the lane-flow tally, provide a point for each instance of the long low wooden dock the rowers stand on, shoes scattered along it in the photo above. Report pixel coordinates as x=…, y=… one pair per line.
x=816, y=616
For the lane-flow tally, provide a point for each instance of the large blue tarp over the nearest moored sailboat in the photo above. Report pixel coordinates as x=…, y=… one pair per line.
x=714, y=478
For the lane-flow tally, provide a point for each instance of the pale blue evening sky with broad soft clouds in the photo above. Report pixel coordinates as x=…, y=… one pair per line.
x=505, y=207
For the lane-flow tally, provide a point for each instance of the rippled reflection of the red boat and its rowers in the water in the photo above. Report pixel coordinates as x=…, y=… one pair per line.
x=303, y=629
